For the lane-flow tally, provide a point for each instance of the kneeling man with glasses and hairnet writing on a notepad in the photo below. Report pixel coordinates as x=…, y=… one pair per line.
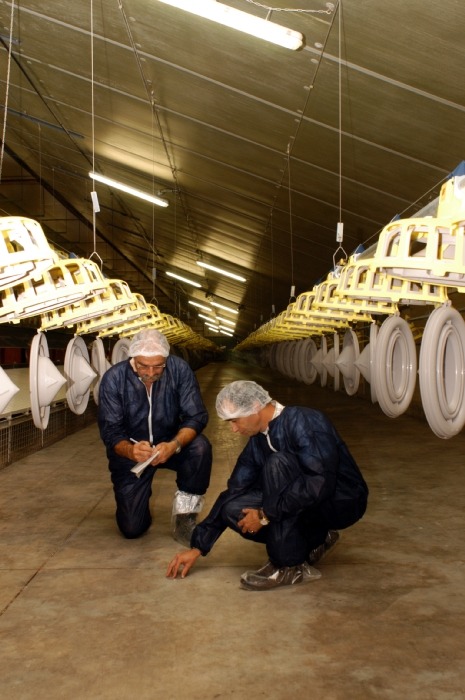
x=150, y=405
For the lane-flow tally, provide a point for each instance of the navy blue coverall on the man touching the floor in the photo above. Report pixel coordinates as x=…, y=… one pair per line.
x=305, y=479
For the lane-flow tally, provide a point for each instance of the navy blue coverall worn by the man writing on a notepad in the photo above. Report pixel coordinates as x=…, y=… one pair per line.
x=126, y=412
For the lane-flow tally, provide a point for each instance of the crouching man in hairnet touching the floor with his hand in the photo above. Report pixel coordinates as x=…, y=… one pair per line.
x=294, y=486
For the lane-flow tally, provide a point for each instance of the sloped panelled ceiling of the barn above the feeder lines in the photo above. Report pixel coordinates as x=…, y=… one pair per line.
x=260, y=151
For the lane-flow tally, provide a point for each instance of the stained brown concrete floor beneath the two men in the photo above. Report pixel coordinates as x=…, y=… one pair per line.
x=88, y=615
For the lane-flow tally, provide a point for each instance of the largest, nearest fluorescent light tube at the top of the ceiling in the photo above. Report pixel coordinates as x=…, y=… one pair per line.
x=243, y=21
